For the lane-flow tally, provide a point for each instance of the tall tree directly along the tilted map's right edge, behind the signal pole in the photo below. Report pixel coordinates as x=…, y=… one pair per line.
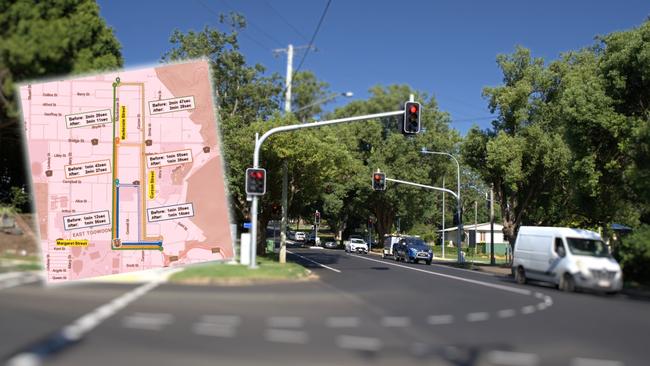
x=244, y=95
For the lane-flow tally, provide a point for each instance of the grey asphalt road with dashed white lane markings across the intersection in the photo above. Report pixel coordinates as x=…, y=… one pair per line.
x=362, y=310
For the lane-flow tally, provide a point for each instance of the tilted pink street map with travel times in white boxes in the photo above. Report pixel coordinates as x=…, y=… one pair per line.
x=127, y=171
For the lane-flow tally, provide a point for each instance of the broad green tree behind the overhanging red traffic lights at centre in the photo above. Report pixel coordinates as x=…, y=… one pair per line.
x=379, y=144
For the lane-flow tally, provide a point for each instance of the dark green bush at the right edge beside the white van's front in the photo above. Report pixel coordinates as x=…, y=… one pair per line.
x=633, y=253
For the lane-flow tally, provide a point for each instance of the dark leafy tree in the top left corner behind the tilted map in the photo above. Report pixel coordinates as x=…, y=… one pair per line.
x=39, y=39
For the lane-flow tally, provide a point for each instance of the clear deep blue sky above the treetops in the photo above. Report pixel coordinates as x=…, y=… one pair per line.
x=445, y=48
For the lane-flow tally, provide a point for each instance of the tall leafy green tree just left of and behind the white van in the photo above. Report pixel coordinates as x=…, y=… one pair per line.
x=523, y=155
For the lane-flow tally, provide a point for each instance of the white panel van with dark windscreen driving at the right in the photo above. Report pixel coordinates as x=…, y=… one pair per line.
x=569, y=258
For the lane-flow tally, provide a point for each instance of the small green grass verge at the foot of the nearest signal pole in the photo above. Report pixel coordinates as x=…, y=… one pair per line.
x=269, y=271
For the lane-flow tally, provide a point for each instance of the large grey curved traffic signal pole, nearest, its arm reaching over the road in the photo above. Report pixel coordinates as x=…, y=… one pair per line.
x=267, y=134
